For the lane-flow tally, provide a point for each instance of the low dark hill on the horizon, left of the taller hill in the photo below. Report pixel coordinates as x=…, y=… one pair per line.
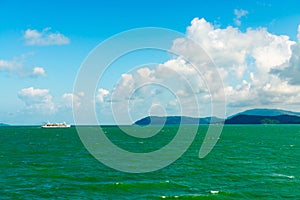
x=173, y=120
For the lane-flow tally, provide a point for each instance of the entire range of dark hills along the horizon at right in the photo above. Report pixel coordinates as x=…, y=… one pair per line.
x=253, y=116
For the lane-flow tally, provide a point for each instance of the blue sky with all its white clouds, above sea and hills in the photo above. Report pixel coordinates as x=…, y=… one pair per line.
x=254, y=45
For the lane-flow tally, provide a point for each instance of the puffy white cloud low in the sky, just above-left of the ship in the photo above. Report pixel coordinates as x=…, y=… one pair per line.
x=37, y=100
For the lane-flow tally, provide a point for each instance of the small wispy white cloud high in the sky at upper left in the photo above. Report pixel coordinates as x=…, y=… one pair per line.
x=44, y=38
